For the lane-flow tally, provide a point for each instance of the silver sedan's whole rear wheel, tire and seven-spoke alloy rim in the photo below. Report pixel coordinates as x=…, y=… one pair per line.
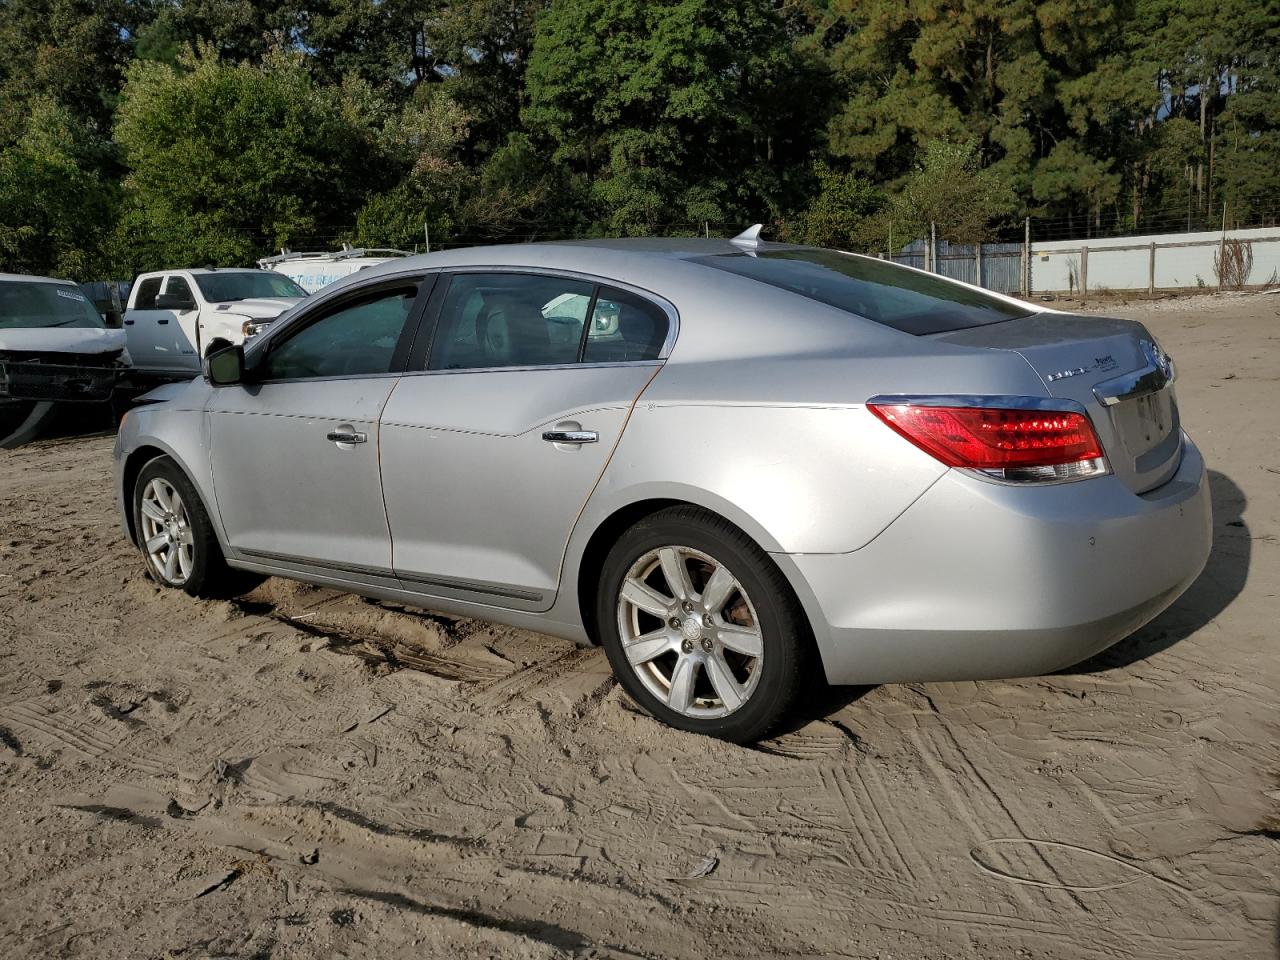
x=701, y=627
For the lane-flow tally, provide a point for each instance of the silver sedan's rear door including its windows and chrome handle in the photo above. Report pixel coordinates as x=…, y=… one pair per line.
x=493, y=445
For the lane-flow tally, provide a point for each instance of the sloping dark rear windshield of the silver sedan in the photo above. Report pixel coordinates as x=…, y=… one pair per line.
x=907, y=300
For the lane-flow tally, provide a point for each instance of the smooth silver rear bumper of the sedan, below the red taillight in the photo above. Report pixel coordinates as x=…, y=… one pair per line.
x=979, y=580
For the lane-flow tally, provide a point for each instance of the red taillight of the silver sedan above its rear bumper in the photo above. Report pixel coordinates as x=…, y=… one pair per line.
x=1011, y=444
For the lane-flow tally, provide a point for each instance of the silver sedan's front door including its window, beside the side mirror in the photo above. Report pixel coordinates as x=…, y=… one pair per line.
x=295, y=454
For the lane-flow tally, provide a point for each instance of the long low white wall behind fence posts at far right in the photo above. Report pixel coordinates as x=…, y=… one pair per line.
x=1124, y=263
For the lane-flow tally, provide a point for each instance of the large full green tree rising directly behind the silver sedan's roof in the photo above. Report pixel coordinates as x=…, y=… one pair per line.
x=670, y=113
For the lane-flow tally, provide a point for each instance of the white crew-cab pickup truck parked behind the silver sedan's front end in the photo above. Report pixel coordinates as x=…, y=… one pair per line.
x=176, y=318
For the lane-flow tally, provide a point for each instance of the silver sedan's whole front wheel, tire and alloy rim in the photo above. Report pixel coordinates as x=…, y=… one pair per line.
x=175, y=533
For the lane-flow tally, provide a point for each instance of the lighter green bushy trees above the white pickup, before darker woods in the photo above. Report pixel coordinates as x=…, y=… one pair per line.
x=227, y=159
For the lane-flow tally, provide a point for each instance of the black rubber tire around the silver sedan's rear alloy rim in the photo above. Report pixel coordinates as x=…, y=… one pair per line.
x=788, y=647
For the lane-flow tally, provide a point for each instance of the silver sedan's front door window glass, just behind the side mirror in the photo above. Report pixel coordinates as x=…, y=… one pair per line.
x=355, y=340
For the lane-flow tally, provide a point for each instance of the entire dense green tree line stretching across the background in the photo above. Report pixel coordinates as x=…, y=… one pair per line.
x=141, y=134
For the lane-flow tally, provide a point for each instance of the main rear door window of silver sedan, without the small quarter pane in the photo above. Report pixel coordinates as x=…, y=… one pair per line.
x=497, y=321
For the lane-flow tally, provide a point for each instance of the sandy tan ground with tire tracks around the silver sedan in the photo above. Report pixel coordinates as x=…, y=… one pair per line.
x=304, y=774
